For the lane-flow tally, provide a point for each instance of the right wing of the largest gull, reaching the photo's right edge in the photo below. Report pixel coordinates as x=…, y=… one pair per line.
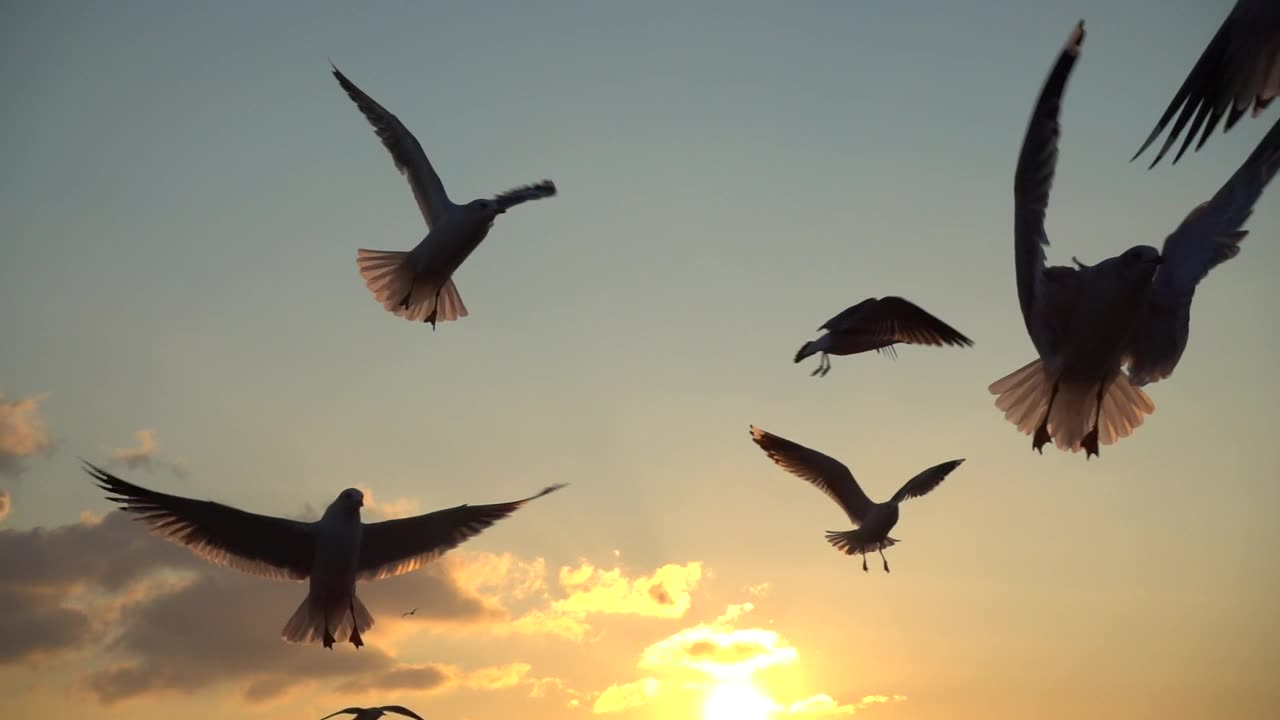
x=1210, y=236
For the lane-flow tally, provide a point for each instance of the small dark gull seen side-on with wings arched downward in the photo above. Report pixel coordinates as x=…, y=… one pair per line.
x=879, y=325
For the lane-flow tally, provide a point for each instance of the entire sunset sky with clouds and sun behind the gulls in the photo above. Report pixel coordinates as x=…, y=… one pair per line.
x=182, y=195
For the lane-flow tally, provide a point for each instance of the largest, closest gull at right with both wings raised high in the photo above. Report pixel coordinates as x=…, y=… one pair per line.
x=1086, y=322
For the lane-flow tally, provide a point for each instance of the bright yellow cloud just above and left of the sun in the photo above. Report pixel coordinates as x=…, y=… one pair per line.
x=666, y=594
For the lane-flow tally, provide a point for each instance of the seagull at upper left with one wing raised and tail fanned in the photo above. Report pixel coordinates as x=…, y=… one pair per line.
x=419, y=285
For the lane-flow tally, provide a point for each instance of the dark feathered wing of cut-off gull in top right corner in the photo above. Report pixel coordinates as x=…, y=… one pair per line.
x=1241, y=67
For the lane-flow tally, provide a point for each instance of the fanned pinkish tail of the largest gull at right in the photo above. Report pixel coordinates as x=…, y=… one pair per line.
x=1025, y=394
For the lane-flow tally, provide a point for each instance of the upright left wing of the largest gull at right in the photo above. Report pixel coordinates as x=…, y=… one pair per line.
x=1032, y=184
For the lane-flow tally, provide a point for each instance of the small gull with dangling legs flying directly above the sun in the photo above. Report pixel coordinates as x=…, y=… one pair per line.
x=872, y=521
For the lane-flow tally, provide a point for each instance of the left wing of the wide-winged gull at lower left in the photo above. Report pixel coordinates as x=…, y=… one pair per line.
x=272, y=548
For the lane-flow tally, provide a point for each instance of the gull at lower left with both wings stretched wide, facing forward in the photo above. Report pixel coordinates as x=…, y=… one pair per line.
x=332, y=553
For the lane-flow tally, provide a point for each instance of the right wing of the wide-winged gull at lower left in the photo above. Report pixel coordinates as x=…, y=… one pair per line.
x=395, y=548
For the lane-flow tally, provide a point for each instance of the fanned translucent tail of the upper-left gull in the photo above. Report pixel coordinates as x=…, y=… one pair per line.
x=391, y=277
